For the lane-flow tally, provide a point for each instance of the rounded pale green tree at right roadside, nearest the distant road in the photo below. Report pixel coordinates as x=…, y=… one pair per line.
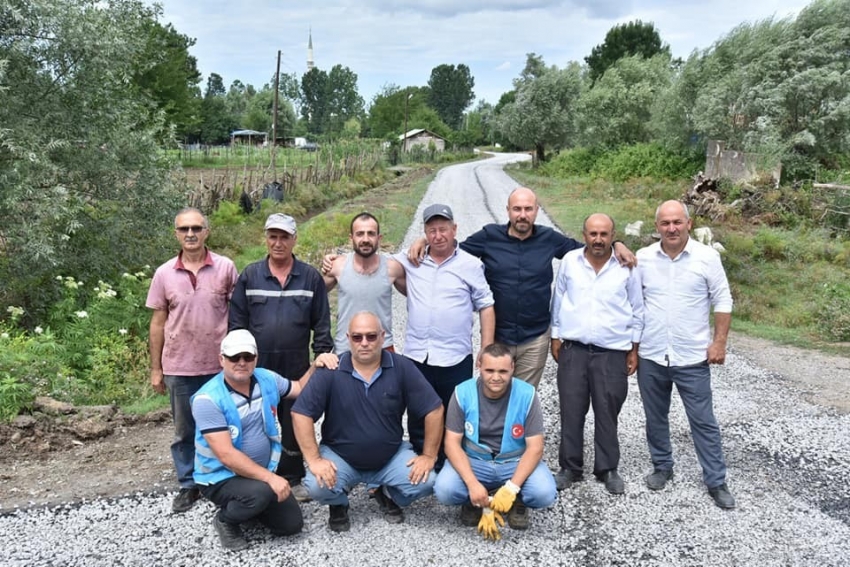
x=544, y=112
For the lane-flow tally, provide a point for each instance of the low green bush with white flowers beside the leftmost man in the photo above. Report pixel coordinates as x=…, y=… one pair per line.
x=88, y=351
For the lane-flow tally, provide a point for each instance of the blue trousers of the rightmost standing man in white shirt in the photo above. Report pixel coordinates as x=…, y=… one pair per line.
x=694, y=386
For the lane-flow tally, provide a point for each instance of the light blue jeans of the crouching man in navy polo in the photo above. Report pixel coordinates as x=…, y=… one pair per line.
x=393, y=475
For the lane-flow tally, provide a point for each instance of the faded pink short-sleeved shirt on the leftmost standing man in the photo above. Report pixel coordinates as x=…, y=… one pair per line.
x=197, y=313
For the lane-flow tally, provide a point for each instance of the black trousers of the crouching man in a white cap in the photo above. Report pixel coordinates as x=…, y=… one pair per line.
x=242, y=499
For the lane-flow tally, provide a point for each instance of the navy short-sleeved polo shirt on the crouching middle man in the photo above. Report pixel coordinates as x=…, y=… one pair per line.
x=363, y=420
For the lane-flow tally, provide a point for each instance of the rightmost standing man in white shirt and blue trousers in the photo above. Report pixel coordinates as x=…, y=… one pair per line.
x=682, y=281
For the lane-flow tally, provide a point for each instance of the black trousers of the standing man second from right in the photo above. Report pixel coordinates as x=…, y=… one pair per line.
x=597, y=377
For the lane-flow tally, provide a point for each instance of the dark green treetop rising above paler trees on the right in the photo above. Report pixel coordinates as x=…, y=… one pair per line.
x=632, y=38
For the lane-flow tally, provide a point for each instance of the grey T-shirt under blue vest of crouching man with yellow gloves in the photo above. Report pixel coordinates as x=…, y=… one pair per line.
x=491, y=418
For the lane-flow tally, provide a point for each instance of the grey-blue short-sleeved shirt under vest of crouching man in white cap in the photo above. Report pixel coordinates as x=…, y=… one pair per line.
x=255, y=443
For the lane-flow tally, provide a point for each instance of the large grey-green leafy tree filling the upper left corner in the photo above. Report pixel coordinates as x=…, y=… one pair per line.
x=86, y=190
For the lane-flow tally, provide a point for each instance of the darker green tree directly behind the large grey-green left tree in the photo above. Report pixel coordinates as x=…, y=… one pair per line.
x=169, y=76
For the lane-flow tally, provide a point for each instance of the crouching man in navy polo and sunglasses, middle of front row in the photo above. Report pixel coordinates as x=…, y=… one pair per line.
x=363, y=402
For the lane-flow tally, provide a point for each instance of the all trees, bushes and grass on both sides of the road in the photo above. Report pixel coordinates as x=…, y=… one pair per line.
x=91, y=175
